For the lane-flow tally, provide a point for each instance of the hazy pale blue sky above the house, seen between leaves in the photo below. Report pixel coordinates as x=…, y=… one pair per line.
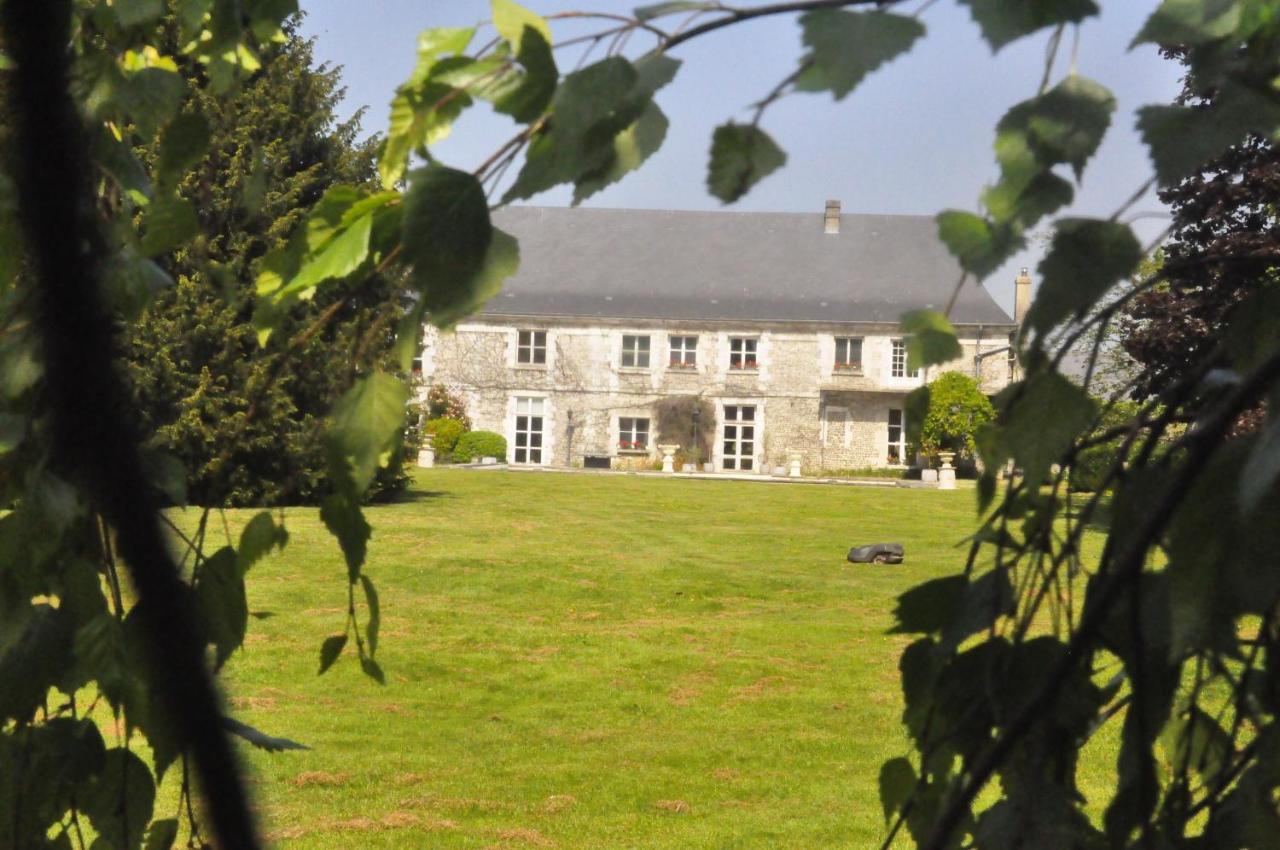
x=915, y=139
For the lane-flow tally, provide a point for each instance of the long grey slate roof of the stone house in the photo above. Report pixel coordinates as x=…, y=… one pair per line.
x=752, y=267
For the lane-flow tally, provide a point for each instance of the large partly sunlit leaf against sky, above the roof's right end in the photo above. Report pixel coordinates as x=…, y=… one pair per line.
x=1066, y=125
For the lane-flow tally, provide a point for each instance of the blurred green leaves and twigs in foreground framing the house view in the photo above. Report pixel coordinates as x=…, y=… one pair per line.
x=1172, y=633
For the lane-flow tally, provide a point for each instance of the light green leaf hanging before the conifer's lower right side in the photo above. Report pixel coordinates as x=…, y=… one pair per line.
x=365, y=424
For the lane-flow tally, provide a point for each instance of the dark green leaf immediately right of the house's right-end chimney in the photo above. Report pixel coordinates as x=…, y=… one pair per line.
x=1086, y=261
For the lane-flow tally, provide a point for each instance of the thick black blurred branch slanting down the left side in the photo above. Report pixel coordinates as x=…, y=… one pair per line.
x=89, y=405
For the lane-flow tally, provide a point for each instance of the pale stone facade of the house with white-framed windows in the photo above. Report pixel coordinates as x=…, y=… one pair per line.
x=587, y=396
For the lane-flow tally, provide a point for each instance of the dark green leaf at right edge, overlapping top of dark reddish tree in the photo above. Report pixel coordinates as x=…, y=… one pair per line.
x=1182, y=139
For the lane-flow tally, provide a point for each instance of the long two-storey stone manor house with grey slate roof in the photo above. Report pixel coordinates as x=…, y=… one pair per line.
x=787, y=325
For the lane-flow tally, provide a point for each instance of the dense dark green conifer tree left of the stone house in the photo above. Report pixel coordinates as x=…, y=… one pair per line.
x=249, y=429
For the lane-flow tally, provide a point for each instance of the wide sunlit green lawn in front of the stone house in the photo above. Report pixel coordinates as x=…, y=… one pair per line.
x=583, y=661
